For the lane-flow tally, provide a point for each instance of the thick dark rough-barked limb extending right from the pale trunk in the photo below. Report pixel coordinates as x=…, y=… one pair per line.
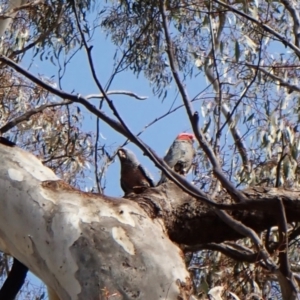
x=184, y=215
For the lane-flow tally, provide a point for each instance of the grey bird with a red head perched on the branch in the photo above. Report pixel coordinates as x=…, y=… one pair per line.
x=180, y=155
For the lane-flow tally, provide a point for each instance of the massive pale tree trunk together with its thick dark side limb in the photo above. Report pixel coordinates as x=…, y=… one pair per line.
x=89, y=246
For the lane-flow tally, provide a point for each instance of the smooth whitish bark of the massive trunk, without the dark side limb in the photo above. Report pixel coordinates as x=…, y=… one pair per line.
x=83, y=245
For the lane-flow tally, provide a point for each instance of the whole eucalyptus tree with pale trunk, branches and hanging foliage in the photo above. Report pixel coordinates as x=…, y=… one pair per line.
x=239, y=217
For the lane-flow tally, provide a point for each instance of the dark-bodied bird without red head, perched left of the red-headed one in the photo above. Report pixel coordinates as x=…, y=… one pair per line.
x=134, y=177
